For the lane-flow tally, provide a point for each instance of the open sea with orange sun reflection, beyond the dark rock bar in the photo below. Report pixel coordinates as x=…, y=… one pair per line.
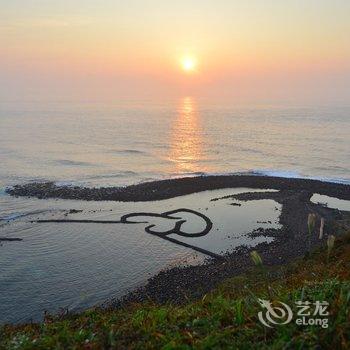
x=130, y=142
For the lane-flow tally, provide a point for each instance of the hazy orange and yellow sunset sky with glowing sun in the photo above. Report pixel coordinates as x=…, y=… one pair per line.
x=291, y=51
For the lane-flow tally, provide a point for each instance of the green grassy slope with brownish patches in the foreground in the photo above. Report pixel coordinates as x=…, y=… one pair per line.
x=225, y=318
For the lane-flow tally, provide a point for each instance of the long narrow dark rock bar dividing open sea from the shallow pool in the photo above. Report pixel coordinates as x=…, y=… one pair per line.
x=165, y=189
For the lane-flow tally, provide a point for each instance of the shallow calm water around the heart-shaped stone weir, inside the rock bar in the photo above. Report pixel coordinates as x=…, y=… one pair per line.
x=76, y=265
